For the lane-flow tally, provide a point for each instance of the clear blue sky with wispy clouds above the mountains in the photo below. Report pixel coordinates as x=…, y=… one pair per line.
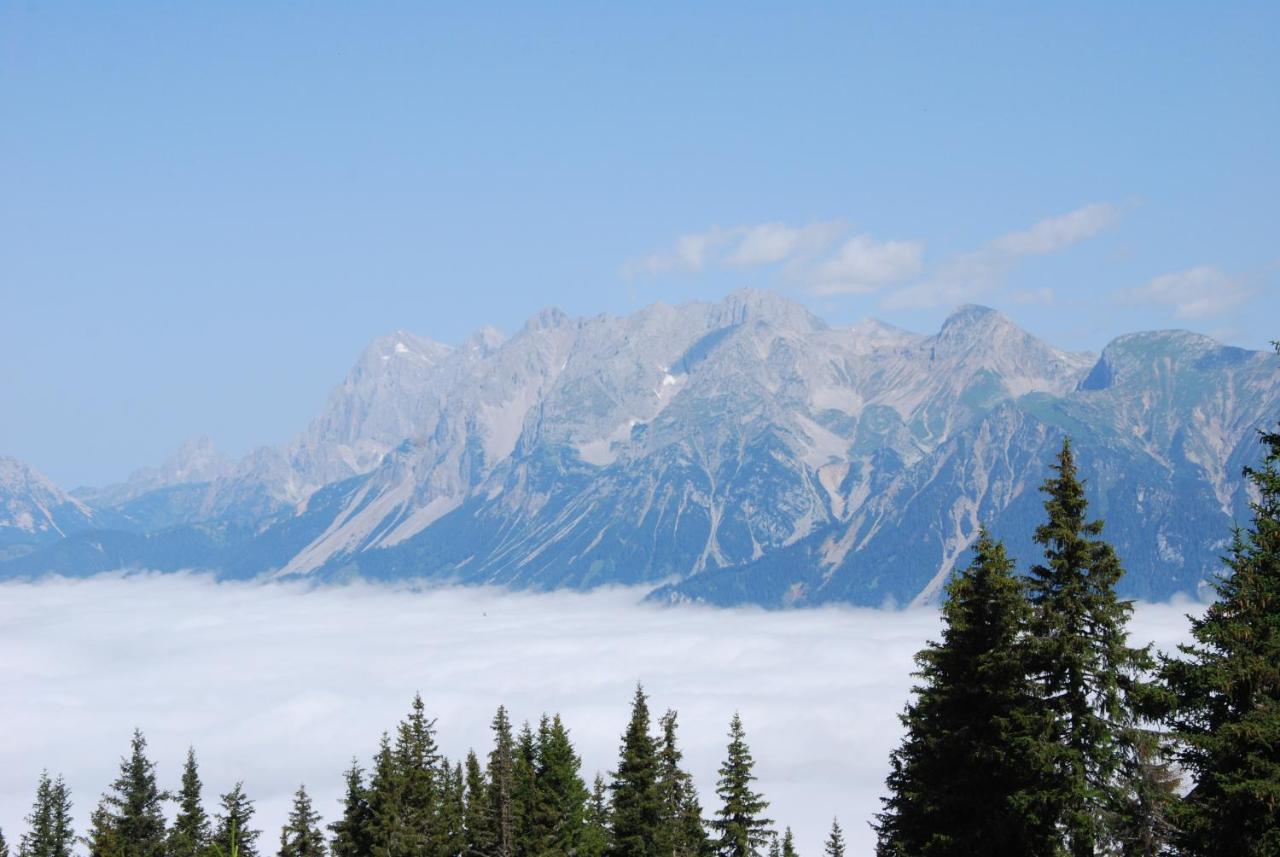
x=208, y=210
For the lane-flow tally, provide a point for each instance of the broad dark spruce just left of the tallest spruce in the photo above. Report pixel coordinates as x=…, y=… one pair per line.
x=973, y=768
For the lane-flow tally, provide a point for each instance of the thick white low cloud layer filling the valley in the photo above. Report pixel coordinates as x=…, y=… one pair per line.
x=281, y=684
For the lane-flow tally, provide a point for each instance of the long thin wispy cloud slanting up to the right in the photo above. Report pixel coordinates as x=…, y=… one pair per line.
x=971, y=276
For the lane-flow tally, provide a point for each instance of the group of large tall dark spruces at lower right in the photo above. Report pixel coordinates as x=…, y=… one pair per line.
x=1036, y=731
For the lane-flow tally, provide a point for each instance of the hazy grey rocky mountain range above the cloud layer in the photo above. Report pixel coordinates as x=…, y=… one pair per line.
x=739, y=452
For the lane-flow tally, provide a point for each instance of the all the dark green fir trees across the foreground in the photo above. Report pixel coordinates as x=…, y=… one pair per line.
x=1036, y=731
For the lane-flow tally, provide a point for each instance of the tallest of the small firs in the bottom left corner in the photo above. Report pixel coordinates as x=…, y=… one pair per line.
x=130, y=822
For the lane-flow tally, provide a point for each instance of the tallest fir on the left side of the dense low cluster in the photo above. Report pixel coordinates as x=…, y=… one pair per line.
x=417, y=771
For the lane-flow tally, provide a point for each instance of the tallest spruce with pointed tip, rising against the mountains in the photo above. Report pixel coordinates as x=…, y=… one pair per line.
x=1090, y=677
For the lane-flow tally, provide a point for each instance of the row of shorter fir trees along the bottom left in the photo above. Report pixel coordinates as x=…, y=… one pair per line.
x=528, y=799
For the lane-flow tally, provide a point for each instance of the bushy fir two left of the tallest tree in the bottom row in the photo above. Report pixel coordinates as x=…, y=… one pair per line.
x=561, y=795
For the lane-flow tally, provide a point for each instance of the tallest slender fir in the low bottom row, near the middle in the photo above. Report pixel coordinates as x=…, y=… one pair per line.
x=637, y=804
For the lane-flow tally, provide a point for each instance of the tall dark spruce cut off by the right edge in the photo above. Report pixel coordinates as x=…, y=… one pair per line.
x=1226, y=691
